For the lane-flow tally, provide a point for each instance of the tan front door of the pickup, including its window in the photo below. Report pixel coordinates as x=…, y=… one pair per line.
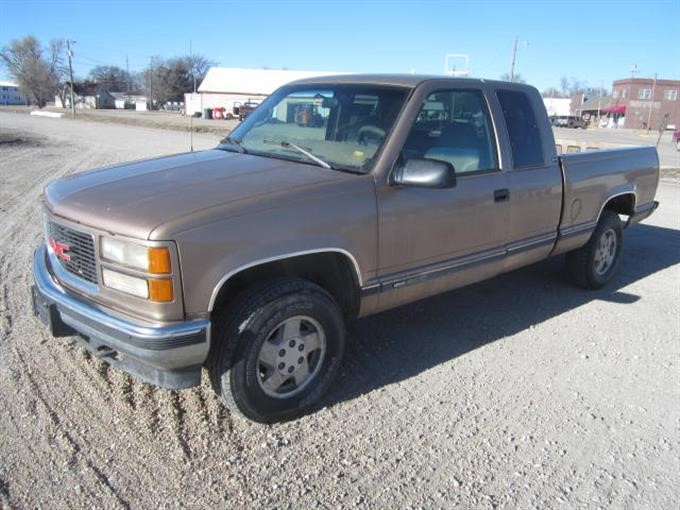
x=433, y=240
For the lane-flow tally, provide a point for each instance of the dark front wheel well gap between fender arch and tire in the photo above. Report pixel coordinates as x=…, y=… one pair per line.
x=333, y=271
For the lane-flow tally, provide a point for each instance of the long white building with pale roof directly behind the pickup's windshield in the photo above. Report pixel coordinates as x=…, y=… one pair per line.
x=226, y=87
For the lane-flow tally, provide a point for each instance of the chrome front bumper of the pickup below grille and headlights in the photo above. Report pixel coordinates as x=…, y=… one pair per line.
x=169, y=356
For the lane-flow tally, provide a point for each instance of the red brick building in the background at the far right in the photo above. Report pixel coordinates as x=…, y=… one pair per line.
x=637, y=98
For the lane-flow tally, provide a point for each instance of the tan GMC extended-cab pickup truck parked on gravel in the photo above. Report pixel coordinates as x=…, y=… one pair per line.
x=248, y=260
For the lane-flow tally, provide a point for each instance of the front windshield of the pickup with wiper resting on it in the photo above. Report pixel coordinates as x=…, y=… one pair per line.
x=338, y=126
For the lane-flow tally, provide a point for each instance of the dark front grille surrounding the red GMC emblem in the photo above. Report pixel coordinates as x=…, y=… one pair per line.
x=82, y=259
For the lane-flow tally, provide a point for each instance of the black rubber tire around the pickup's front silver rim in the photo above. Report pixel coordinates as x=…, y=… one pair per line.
x=235, y=363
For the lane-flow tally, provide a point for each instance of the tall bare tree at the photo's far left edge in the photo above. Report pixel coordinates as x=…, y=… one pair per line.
x=37, y=71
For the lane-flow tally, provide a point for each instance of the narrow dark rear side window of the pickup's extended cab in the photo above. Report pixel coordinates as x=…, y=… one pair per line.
x=525, y=139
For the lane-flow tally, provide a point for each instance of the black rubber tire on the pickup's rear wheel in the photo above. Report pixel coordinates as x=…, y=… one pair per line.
x=583, y=263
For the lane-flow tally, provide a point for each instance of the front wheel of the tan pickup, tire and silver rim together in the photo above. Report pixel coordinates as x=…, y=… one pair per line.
x=277, y=350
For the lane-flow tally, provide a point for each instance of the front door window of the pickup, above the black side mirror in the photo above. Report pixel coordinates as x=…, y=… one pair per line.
x=454, y=126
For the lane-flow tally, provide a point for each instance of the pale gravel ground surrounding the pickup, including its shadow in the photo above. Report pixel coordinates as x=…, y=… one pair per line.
x=519, y=392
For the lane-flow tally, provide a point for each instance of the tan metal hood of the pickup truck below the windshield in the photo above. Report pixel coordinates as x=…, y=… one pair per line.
x=134, y=199
